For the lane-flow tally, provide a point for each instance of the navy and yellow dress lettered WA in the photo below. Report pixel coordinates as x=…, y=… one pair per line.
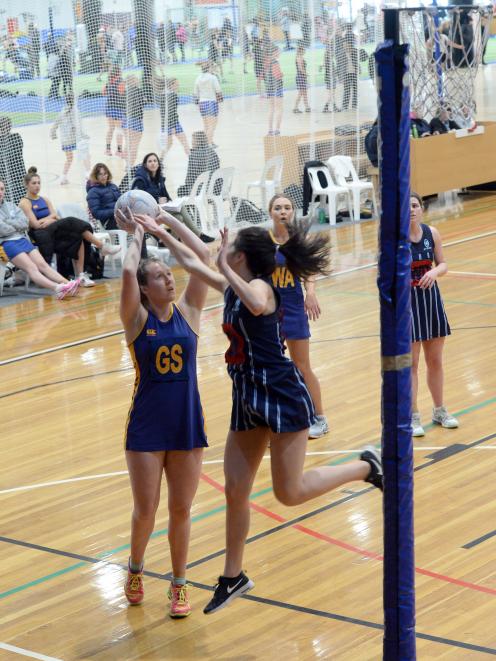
x=295, y=324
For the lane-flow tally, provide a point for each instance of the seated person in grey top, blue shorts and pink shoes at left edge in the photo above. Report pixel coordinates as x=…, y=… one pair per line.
x=15, y=247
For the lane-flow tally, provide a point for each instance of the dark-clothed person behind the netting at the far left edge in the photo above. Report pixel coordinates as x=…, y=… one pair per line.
x=12, y=168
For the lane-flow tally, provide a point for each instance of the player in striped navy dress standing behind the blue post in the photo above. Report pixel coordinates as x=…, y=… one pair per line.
x=429, y=322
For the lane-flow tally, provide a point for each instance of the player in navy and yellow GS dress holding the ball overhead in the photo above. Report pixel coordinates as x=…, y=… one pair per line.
x=165, y=430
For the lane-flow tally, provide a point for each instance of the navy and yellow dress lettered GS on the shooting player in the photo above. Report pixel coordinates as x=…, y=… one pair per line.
x=166, y=412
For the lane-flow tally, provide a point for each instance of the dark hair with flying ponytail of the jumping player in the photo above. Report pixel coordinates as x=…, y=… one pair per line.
x=305, y=254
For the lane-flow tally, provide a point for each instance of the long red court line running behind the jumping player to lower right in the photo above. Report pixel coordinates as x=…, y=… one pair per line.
x=351, y=547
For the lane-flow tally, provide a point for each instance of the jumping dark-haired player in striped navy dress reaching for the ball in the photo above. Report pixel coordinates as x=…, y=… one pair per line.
x=270, y=399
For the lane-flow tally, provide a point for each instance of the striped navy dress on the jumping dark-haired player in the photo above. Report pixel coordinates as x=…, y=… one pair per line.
x=268, y=389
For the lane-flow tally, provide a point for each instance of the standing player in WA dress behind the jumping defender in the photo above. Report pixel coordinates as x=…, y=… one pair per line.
x=296, y=309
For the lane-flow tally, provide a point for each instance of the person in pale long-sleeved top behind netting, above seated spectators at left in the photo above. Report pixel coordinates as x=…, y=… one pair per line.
x=71, y=136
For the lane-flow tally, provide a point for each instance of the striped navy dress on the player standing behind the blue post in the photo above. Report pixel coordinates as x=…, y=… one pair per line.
x=428, y=315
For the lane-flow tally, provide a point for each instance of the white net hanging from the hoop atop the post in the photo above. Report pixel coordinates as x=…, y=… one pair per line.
x=446, y=49
